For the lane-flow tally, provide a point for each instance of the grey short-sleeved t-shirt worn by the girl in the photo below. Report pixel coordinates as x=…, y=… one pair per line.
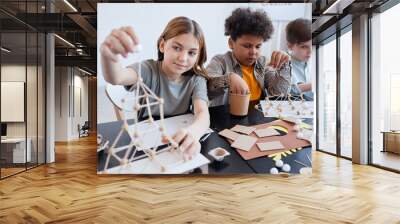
x=177, y=96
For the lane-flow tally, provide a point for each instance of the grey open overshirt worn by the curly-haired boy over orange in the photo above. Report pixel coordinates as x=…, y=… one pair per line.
x=222, y=65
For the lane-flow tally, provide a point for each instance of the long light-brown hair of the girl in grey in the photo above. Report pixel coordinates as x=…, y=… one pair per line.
x=184, y=25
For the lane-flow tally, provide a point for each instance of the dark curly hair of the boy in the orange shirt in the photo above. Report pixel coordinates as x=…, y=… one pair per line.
x=245, y=21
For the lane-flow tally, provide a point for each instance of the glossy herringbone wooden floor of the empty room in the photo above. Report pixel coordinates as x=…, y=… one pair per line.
x=70, y=191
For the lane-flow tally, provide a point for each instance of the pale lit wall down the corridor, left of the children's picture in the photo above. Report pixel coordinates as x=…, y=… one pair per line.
x=69, y=79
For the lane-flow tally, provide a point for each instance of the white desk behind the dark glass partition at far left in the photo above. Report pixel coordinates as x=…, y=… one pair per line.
x=19, y=149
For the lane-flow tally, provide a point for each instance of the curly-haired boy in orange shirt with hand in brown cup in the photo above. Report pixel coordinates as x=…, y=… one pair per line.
x=243, y=69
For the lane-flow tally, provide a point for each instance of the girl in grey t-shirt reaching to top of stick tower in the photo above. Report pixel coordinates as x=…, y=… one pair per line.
x=177, y=76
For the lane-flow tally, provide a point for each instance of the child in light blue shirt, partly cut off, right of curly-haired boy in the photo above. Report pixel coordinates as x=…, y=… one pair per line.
x=299, y=42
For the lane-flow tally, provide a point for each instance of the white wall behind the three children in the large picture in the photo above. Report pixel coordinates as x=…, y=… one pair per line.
x=149, y=20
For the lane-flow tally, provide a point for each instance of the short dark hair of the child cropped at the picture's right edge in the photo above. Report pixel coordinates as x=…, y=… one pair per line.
x=298, y=31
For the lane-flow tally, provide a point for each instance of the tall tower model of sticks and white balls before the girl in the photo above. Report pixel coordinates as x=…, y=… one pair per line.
x=144, y=99
